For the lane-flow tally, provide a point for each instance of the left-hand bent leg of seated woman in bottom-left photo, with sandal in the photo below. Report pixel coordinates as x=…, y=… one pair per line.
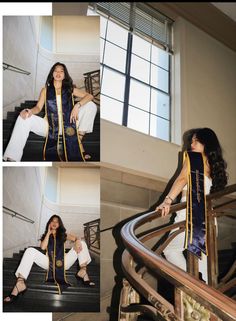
x=30, y=257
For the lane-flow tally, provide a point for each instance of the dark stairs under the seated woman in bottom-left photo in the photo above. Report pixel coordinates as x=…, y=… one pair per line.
x=44, y=297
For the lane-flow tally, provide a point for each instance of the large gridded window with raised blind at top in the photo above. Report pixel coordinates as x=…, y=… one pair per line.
x=135, y=70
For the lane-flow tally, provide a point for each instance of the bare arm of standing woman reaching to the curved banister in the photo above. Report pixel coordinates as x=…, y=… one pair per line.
x=176, y=188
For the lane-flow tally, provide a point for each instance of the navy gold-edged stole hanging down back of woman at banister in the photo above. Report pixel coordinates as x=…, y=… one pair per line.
x=196, y=222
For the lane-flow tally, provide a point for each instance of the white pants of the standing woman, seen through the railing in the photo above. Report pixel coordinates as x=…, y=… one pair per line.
x=174, y=251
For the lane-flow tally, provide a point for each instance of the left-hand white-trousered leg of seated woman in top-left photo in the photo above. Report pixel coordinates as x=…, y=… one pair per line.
x=20, y=134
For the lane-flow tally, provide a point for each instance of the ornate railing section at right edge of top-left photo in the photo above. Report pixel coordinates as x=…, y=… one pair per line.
x=92, y=84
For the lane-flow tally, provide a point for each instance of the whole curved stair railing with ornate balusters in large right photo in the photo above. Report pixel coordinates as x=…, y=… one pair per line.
x=193, y=299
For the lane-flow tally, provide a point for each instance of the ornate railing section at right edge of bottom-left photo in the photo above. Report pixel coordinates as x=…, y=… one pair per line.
x=92, y=235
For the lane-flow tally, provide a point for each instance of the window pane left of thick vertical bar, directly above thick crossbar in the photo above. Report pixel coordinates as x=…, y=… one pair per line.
x=115, y=57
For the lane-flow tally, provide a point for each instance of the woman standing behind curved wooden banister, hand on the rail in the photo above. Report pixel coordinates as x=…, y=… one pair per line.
x=204, y=141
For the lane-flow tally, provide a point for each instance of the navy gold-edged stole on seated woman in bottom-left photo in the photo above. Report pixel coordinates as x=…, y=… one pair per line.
x=56, y=270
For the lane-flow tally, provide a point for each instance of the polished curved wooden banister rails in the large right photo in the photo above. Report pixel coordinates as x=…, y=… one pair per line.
x=212, y=299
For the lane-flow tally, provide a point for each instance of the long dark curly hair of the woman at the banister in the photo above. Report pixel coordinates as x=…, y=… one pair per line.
x=213, y=152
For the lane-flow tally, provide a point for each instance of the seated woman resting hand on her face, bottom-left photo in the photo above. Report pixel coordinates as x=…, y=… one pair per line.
x=56, y=261
